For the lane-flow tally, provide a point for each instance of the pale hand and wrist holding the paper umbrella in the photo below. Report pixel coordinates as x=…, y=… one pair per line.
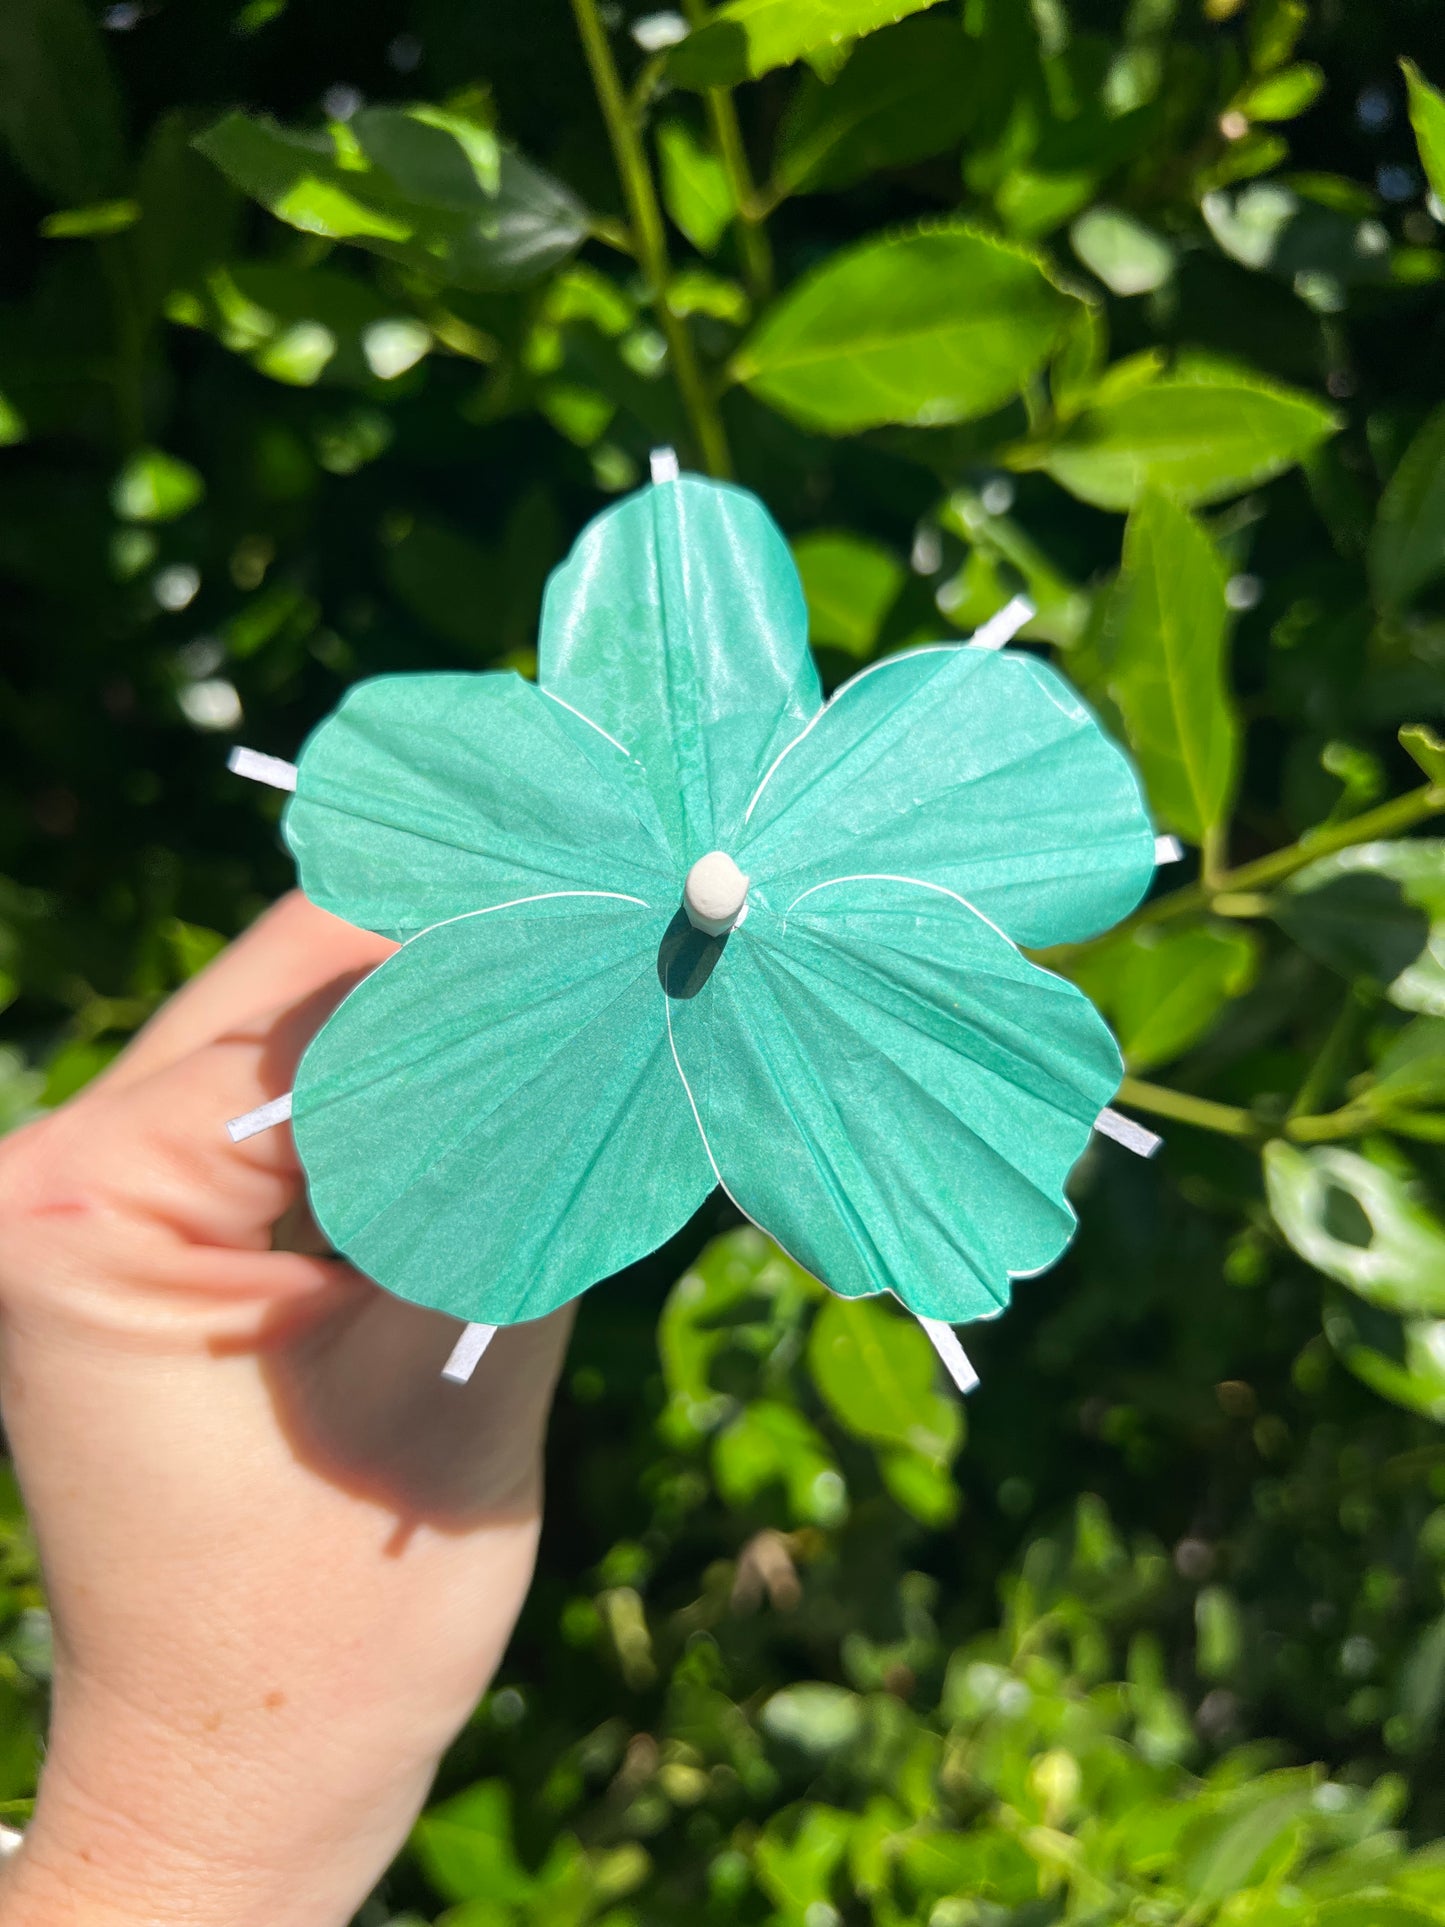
x=282, y=1556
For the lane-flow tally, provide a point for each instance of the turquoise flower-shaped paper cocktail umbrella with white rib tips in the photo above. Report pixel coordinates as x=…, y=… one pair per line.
x=670, y=922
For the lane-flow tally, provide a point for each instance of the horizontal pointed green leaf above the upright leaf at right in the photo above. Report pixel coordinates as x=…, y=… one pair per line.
x=1201, y=435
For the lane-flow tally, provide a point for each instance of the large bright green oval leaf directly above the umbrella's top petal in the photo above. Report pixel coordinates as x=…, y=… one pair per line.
x=924, y=329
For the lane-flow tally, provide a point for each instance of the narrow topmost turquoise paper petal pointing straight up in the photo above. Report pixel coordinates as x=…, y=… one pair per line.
x=679, y=627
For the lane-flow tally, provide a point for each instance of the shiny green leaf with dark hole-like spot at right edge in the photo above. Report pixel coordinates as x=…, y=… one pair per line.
x=1359, y=1225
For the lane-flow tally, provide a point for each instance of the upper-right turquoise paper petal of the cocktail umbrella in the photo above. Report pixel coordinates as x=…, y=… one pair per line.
x=976, y=770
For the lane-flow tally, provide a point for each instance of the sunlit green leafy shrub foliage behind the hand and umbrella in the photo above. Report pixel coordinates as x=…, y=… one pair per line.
x=321, y=336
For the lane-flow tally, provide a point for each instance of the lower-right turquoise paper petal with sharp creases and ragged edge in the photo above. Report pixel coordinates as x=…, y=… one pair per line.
x=893, y=1092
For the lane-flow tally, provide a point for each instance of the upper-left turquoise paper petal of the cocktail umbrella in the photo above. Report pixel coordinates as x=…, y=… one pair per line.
x=427, y=797
